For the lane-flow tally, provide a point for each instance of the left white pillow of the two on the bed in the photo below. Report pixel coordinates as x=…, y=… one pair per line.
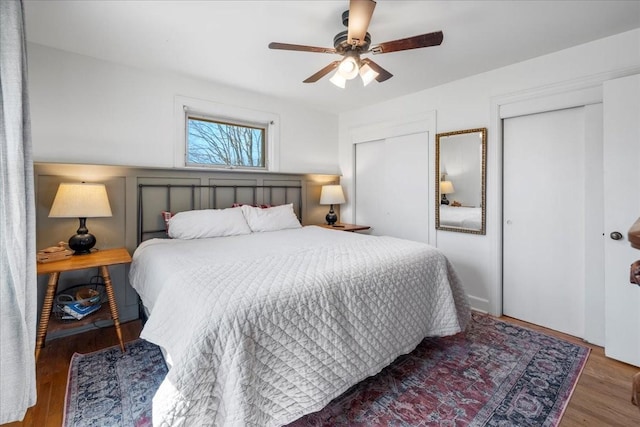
x=206, y=223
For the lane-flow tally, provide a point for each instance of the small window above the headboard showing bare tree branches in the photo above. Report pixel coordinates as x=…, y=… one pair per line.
x=225, y=143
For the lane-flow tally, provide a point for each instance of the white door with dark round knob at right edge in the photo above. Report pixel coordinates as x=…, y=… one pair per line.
x=622, y=208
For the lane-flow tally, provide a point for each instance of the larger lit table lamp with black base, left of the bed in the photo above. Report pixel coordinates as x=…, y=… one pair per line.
x=82, y=201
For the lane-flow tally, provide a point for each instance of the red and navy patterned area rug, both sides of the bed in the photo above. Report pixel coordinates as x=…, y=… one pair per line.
x=494, y=374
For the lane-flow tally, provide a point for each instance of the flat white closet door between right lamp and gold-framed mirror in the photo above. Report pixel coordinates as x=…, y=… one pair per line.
x=392, y=186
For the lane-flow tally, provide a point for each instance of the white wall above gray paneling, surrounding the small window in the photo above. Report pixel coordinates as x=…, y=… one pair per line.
x=86, y=110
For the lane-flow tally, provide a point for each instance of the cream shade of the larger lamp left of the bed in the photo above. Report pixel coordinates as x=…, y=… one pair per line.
x=80, y=200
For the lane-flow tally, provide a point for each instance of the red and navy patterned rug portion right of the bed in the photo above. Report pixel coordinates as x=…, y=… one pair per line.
x=494, y=374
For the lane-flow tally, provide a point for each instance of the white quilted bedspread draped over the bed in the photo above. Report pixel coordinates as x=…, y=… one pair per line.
x=264, y=328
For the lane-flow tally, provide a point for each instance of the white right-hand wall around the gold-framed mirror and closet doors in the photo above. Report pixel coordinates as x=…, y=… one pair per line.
x=471, y=103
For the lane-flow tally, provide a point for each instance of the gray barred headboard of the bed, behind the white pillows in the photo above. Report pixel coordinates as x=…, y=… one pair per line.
x=155, y=198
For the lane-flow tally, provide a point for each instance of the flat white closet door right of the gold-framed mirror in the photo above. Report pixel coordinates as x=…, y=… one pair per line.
x=544, y=219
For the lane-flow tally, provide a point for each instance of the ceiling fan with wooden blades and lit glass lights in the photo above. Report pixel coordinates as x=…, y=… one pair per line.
x=356, y=41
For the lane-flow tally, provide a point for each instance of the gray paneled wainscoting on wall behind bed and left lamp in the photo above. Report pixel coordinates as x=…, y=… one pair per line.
x=122, y=229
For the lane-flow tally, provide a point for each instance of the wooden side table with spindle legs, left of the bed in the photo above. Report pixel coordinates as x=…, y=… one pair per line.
x=101, y=259
